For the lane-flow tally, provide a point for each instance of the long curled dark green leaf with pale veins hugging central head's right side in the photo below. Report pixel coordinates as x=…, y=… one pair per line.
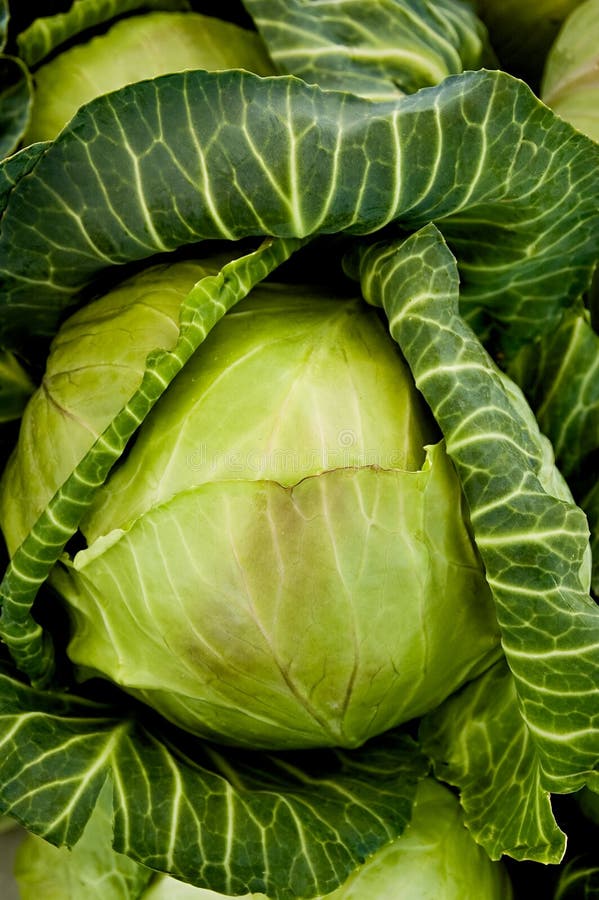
x=533, y=542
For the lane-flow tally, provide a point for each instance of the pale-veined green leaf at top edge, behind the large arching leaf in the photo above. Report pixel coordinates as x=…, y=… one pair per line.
x=376, y=50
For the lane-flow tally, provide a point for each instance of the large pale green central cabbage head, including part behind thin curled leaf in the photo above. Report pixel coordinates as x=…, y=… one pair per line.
x=283, y=559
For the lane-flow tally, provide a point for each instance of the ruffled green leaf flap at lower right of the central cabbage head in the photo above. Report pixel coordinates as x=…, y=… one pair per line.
x=479, y=742
